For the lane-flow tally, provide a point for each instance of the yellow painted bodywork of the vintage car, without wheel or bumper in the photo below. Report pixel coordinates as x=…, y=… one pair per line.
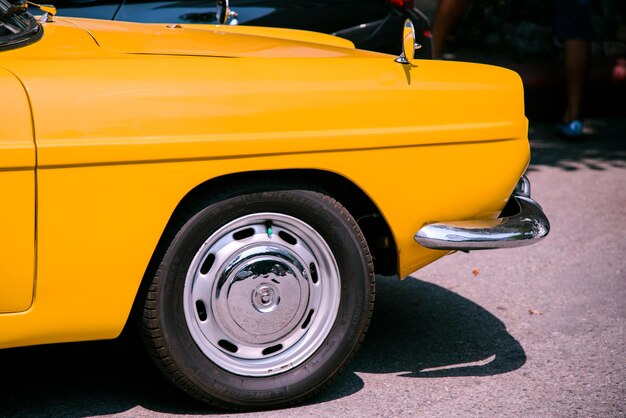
x=108, y=126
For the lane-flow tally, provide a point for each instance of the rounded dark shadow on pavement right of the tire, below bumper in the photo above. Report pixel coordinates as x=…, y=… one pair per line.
x=420, y=329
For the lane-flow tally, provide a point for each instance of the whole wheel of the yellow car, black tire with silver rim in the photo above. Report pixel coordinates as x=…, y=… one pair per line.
x=260, y=299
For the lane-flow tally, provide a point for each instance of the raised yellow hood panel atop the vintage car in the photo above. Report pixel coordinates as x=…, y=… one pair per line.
x=215, y=40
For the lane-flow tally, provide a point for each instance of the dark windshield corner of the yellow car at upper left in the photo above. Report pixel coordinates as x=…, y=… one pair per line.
x=29, y=30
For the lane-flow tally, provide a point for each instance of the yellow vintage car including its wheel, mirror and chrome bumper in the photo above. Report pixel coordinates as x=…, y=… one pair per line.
x=234, y=190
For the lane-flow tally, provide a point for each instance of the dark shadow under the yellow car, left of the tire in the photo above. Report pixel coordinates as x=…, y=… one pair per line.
x=87, y=379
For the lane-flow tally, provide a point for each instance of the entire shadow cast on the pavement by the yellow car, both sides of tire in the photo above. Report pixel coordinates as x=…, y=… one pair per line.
x=418, y=329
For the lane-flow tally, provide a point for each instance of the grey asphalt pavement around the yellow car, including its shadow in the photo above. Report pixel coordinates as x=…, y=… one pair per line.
x=534, y=331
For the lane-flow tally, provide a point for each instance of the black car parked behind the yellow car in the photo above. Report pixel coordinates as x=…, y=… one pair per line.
x=371, y=24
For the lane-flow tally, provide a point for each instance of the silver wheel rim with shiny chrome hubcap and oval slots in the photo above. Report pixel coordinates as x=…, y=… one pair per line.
x=262, y=294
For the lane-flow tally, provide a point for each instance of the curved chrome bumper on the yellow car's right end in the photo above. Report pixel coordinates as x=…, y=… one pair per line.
x=526, y=227
